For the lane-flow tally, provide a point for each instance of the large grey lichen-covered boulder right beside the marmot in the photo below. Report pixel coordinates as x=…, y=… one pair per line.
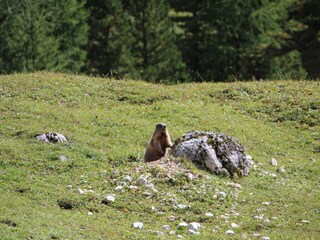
x=216, y=152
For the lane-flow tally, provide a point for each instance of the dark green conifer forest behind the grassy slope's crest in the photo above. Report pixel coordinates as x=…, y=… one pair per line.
x=163, y=41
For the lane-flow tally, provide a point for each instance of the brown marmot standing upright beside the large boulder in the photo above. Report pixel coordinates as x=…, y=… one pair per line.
x=159, y=143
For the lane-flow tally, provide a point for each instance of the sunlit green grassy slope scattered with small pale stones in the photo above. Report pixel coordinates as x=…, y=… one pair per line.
x=108, y=123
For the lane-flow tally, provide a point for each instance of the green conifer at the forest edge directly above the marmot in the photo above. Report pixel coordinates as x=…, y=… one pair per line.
x=155, y=49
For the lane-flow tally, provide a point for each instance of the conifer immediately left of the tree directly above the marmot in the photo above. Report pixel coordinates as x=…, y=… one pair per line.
x=110, y=39
